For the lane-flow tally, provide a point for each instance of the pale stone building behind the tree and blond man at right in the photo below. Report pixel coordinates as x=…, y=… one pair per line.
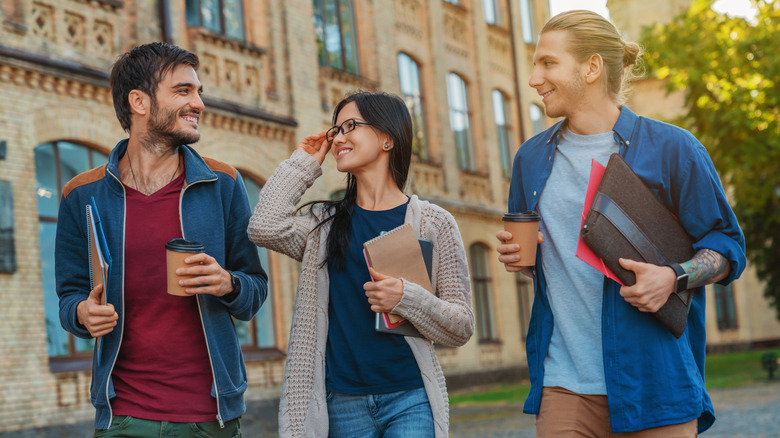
x=738, y=316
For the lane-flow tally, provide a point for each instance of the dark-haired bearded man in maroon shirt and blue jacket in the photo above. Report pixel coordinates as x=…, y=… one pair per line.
x=168, y=365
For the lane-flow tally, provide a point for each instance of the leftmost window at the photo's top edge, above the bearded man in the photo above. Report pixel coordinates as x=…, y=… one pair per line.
x=224, y=17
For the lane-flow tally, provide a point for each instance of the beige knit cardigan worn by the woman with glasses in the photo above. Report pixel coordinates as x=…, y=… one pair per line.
x=445, y=318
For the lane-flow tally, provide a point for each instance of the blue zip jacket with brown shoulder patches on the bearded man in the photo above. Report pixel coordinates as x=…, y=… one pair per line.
x=214, y=210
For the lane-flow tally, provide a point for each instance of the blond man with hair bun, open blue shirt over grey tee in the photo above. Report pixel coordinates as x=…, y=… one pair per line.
x=600, y=364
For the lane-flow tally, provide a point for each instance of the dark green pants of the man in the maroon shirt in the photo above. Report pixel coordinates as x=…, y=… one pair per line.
x=131, y=427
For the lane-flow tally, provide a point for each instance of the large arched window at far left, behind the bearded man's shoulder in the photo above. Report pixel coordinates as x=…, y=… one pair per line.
x=55, y=164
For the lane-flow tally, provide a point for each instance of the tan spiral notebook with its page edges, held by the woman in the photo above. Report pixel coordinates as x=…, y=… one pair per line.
x=398, y=253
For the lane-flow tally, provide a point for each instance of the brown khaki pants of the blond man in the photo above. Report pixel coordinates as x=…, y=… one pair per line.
x=567, y=414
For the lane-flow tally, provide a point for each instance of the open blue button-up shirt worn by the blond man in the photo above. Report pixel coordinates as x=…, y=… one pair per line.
x=653, y=379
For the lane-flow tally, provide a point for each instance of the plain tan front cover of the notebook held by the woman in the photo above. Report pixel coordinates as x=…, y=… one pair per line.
x=397, y=253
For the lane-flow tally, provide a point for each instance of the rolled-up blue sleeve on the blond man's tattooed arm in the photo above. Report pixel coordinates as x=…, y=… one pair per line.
x=703, y=207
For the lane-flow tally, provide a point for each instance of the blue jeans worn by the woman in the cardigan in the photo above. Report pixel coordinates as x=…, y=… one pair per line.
x=403, y=414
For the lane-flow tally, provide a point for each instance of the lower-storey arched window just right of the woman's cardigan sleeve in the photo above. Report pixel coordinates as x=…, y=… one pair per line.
x=483, y=293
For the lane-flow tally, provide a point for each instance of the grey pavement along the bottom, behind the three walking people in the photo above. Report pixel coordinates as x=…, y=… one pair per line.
x=747, y=412
